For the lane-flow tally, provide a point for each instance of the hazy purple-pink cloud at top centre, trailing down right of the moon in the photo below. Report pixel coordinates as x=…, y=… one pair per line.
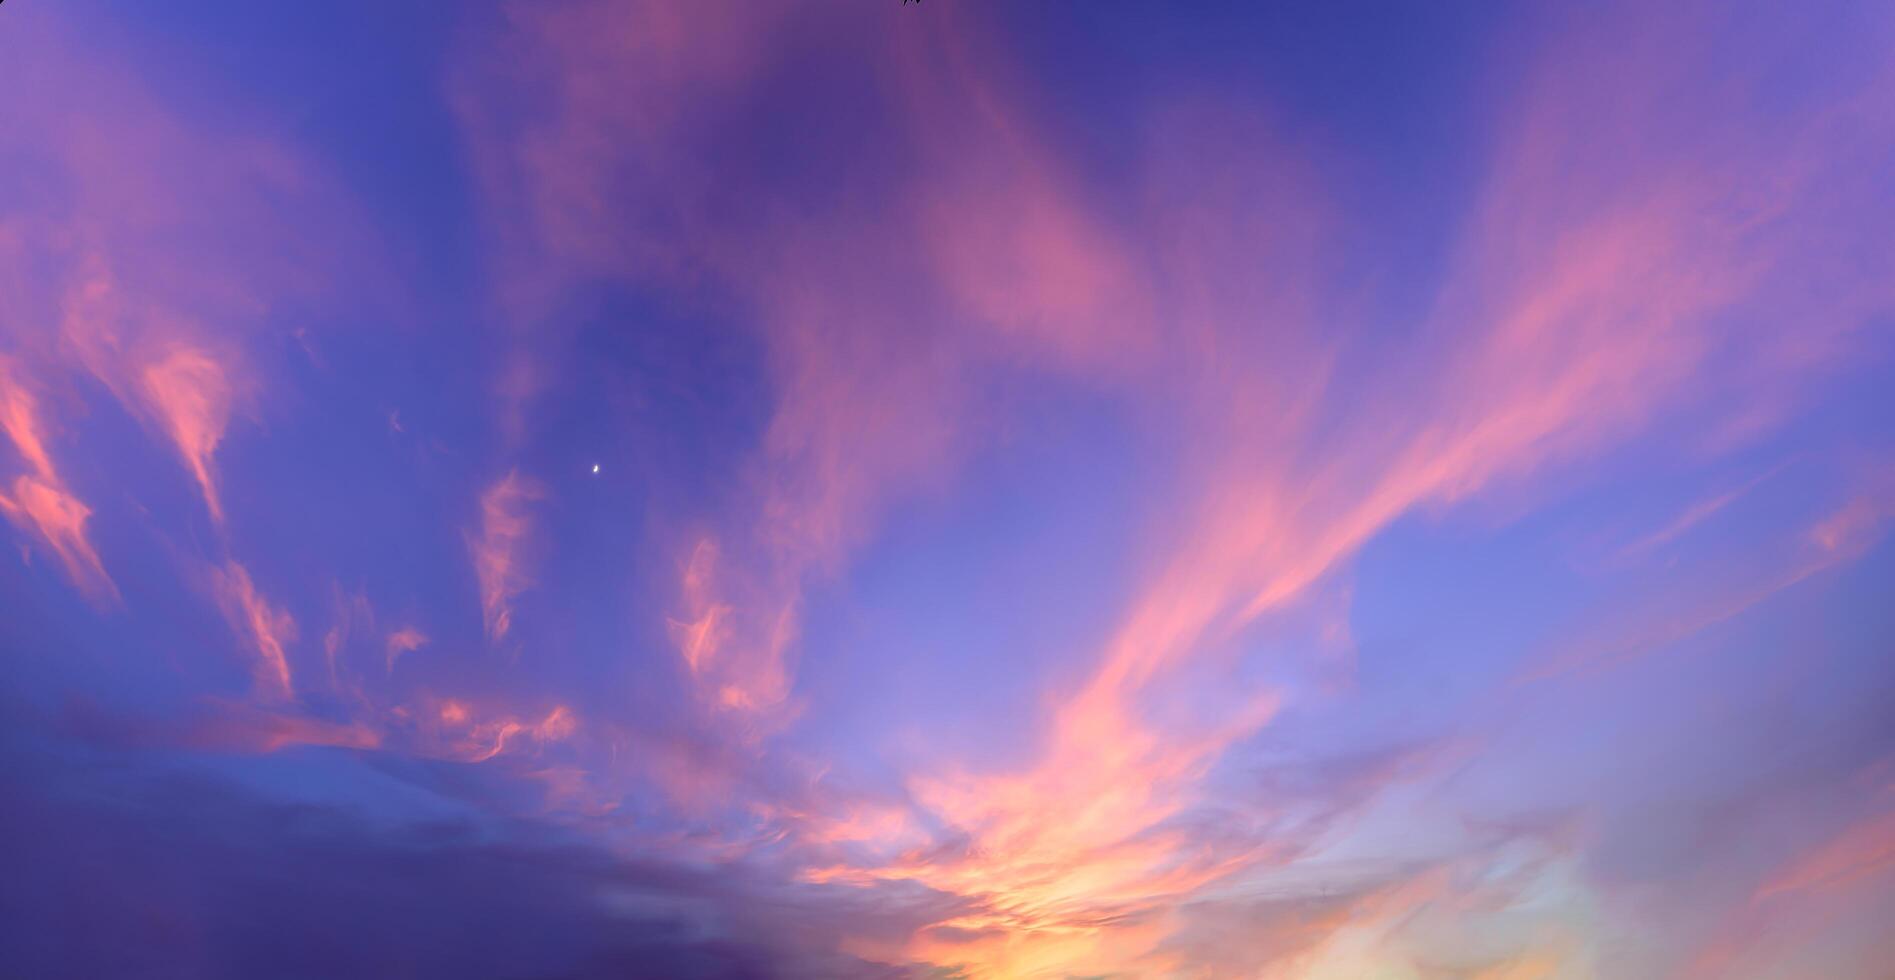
x=634, y=103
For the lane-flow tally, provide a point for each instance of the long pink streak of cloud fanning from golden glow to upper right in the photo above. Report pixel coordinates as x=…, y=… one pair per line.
x=1562, y=329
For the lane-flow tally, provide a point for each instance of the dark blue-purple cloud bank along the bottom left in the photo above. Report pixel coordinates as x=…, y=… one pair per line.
x=118, y=869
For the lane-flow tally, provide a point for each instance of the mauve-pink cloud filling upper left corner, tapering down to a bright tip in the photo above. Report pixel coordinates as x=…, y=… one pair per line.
x=164, y=280
